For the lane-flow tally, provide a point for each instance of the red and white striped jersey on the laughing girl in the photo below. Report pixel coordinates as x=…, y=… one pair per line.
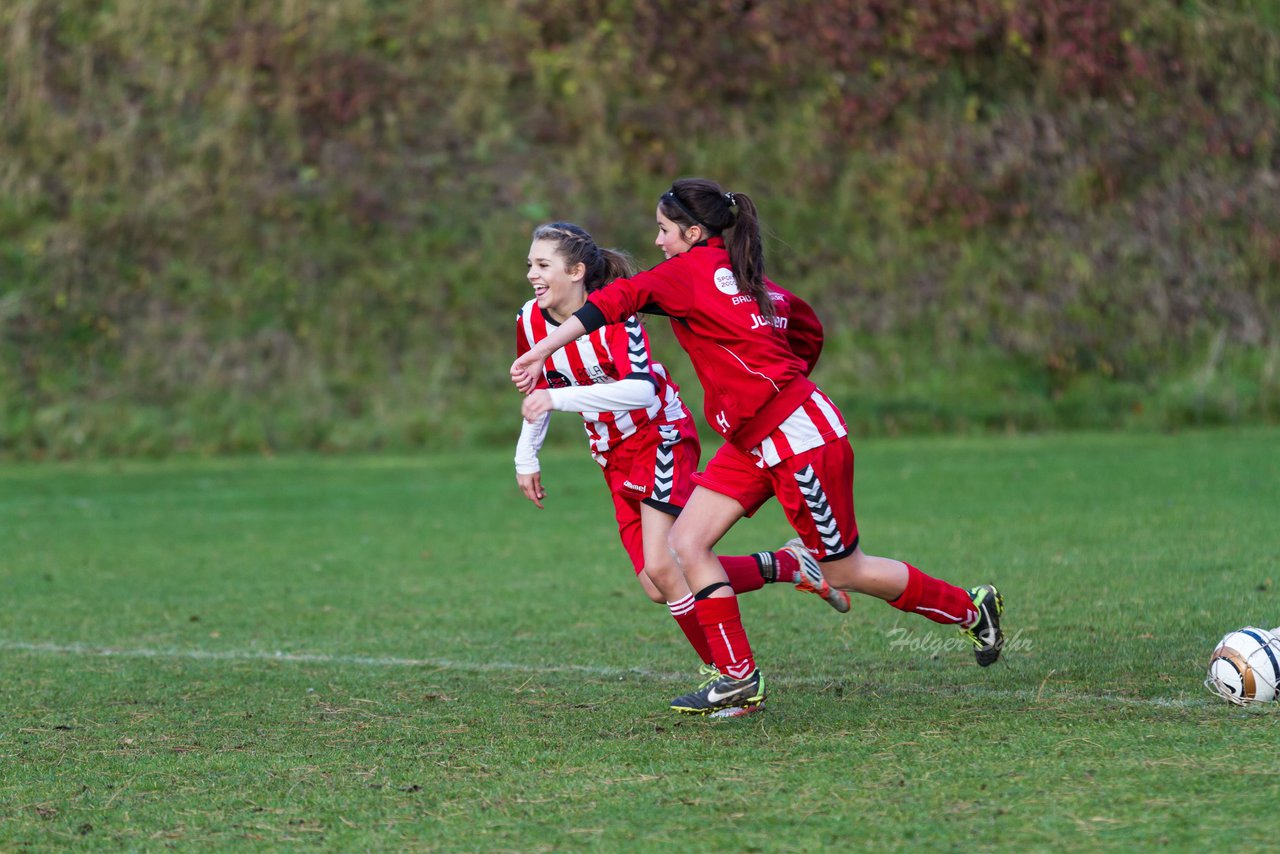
x=612, y=353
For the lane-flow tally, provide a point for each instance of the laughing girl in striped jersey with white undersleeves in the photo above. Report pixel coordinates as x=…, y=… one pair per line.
x=638, y=428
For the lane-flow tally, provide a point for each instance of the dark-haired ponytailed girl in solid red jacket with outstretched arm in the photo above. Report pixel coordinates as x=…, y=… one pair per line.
x=753, y=346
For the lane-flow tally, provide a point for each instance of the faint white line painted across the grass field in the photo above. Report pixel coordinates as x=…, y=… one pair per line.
x=1037, y=697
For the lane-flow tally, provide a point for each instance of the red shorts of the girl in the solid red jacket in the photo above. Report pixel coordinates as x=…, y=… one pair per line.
x=816, y=490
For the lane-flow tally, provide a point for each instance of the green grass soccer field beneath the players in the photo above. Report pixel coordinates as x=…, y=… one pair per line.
x=403, y=654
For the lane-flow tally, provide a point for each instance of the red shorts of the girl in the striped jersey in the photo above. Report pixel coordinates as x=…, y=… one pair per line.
x=655, y=467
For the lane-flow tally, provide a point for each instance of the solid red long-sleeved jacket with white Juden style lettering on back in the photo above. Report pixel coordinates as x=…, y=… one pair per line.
x=755, y=375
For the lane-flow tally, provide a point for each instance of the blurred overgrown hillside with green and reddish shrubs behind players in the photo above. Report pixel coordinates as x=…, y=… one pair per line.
x=239, y=226
